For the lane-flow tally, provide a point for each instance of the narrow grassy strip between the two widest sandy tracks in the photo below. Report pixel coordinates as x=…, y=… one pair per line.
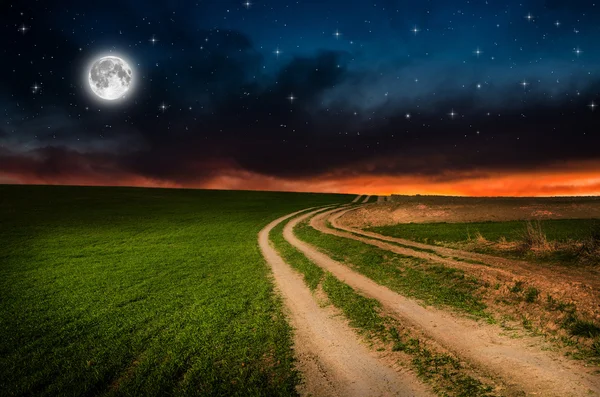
x=443, y=371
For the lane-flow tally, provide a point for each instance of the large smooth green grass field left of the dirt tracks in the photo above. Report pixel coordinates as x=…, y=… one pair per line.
x=124, y=291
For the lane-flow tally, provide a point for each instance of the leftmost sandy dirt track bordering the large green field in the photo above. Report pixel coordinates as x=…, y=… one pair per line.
x=332, y=360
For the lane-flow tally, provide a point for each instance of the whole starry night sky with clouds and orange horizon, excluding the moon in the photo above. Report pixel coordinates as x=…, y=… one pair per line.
x=439, y=97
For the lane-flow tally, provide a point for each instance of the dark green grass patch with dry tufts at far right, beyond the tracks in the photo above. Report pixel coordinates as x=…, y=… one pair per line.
x=563, y=241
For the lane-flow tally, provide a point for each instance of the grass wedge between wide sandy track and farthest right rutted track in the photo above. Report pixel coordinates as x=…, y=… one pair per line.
x=431, y=283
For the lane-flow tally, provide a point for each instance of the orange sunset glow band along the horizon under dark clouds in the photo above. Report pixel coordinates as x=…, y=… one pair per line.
x=581, y=179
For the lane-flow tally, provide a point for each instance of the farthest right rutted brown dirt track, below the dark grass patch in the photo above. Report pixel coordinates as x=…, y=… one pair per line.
x=551, y=275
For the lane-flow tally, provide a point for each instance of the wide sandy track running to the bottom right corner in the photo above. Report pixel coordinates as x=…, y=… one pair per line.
x=521, y=365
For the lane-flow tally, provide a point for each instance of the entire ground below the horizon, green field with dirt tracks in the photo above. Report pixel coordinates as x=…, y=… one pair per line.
x=113, y=291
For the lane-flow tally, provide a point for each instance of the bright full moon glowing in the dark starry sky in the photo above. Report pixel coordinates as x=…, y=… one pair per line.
x=110, y=78
